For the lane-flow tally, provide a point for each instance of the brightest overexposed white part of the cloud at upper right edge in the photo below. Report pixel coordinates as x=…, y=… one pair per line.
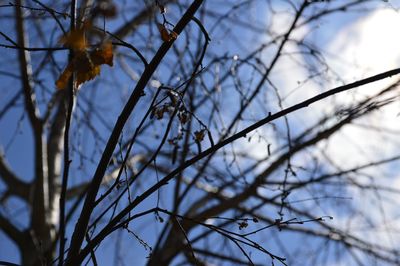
x=367, y=47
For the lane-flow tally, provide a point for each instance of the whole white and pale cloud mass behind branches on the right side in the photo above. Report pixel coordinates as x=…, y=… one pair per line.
x=366, y=47
